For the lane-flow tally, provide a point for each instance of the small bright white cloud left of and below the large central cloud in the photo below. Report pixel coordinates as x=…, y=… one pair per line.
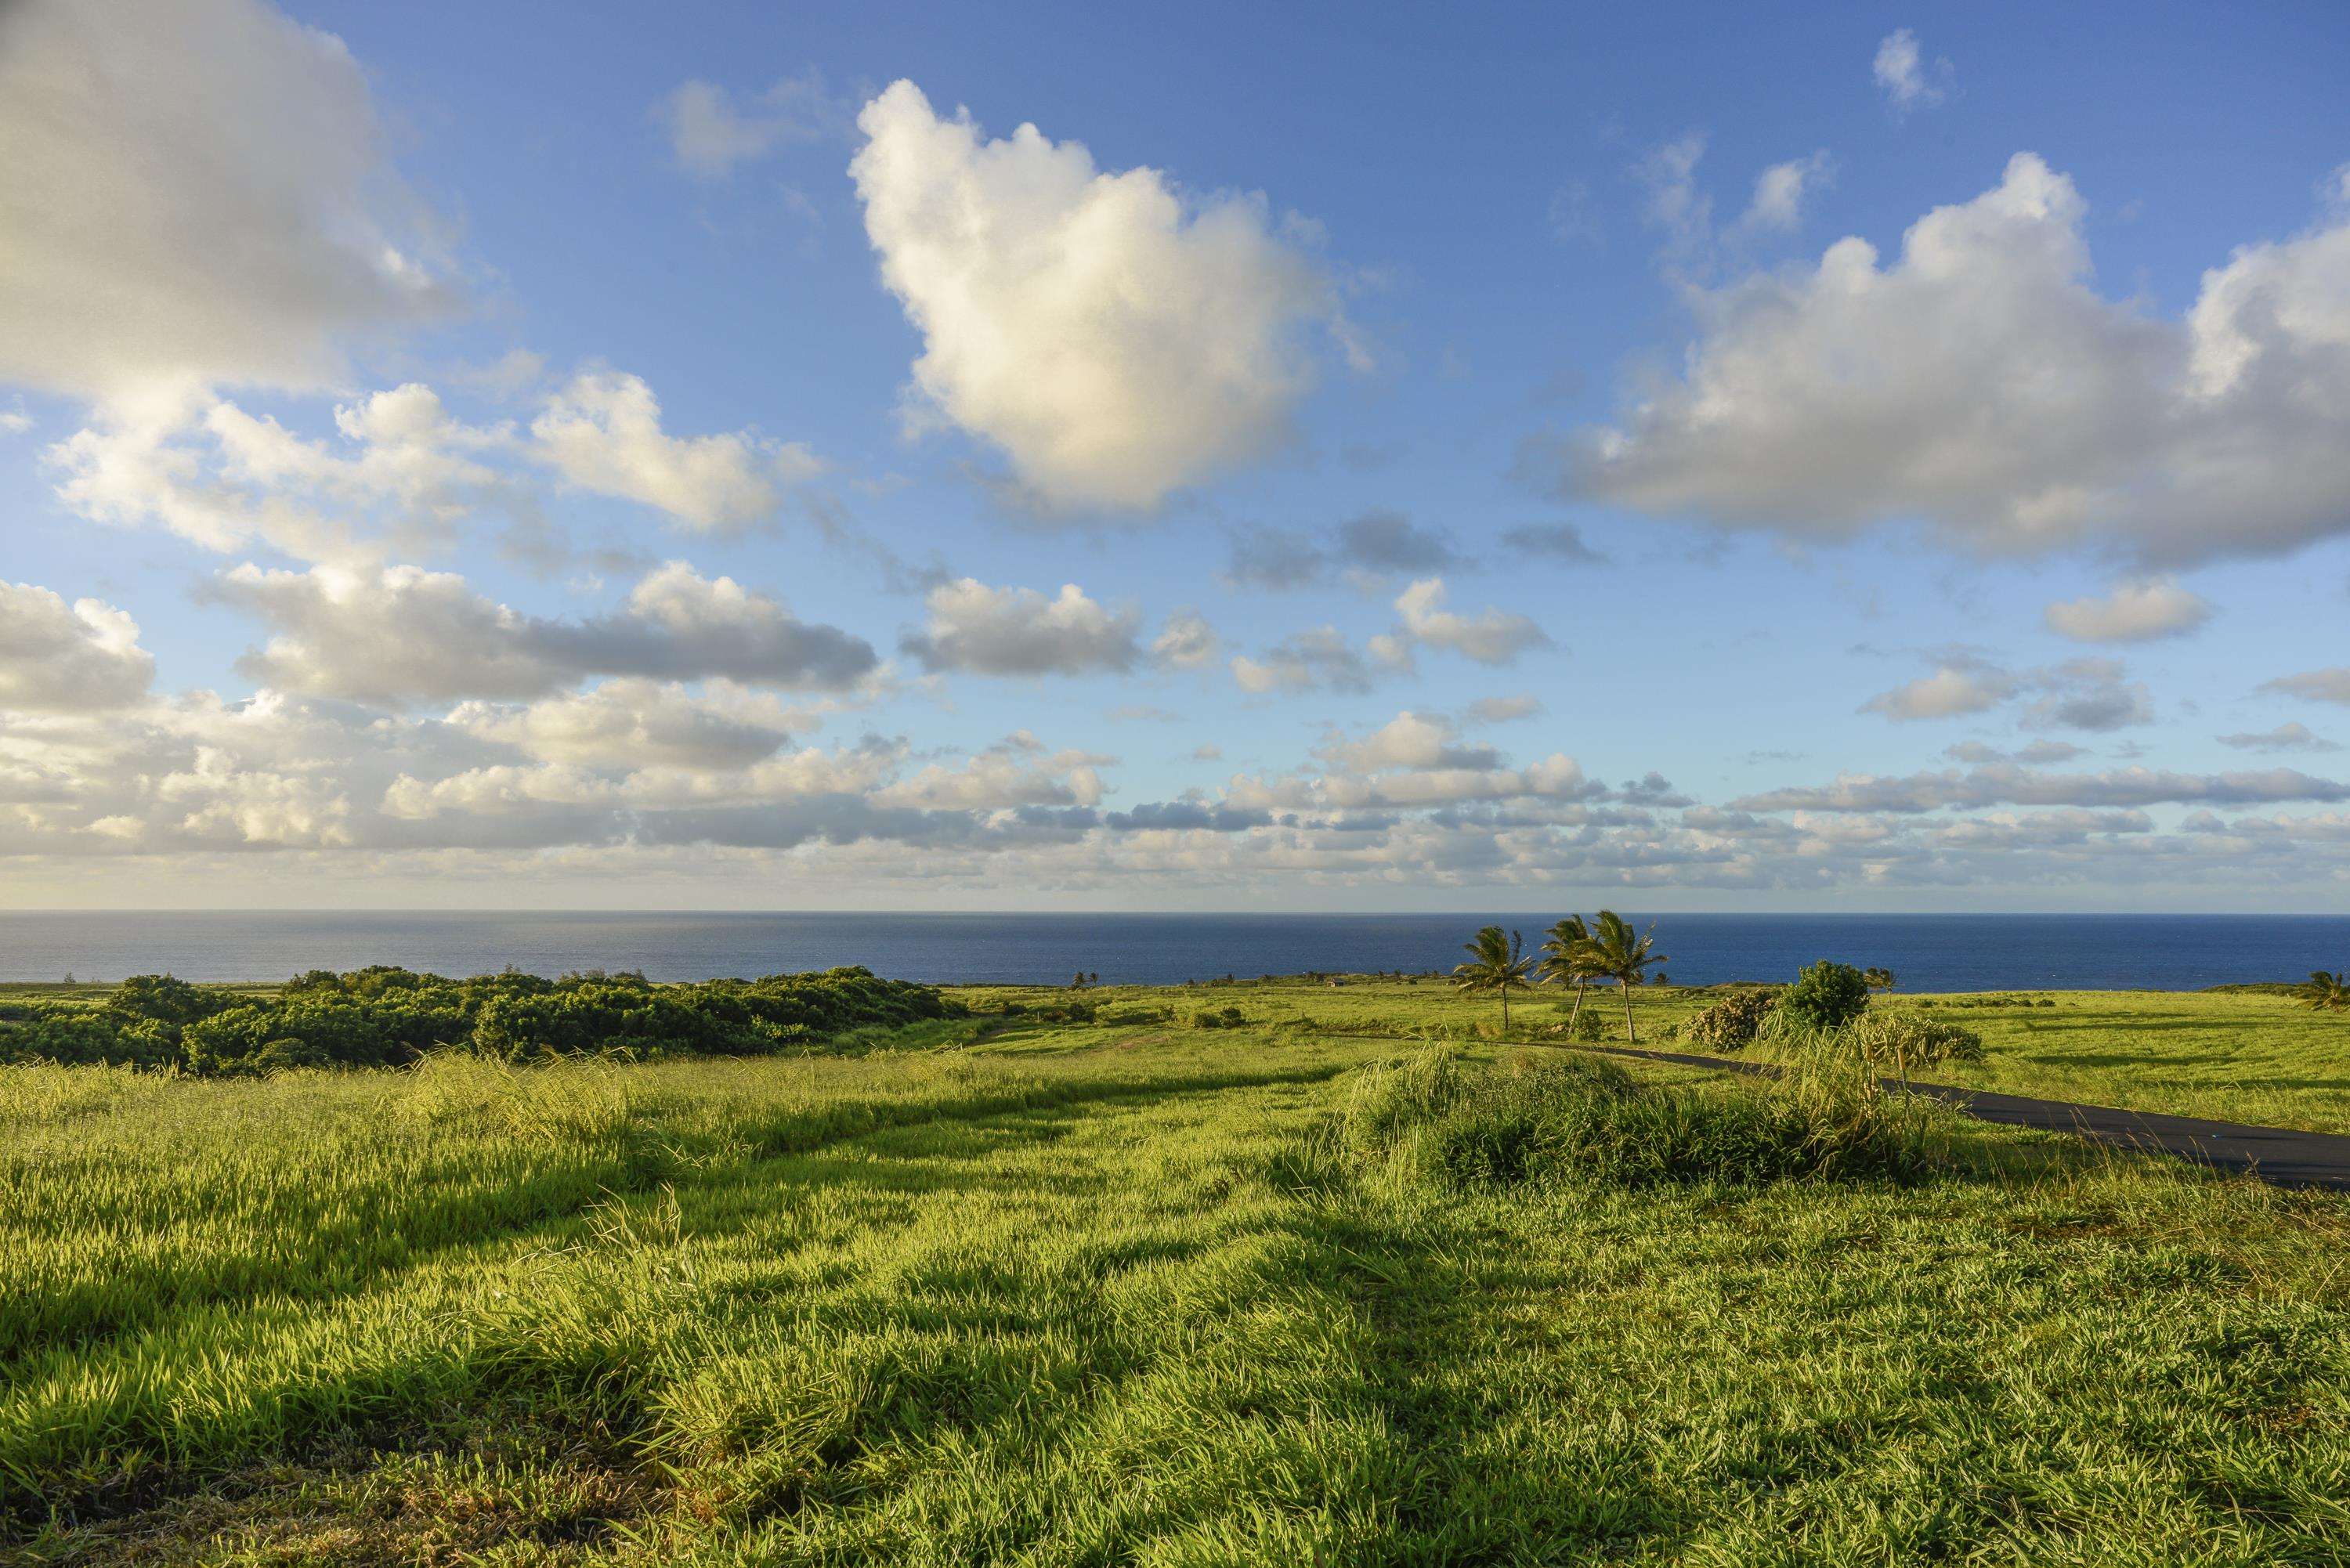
x=603, y=434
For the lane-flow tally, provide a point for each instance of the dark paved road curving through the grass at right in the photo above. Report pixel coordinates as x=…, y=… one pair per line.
x=2274, y=1153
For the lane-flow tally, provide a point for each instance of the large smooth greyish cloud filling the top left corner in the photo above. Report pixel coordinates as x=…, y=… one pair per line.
x=194, y=192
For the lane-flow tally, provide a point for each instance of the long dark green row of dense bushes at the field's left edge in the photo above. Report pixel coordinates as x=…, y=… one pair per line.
x=389, y=1017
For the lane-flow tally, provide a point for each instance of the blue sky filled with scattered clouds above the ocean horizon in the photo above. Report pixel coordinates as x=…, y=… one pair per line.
x=1341, y=457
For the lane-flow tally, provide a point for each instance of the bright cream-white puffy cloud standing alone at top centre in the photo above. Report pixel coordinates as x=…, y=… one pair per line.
x=1110, y=337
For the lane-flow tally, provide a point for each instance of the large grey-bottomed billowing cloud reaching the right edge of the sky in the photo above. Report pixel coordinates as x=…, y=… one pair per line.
x=1985, y=387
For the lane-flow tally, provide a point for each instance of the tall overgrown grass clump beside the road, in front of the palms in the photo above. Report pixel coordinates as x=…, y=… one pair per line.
x=1439, y=1120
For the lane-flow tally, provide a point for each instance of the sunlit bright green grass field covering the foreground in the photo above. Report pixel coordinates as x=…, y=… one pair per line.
x=1132, y=1292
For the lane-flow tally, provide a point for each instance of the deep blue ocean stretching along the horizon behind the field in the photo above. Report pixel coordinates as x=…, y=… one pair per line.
x=1923, y=951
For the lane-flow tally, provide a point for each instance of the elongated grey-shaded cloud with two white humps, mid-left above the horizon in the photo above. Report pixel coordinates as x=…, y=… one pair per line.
x=401, y=634
